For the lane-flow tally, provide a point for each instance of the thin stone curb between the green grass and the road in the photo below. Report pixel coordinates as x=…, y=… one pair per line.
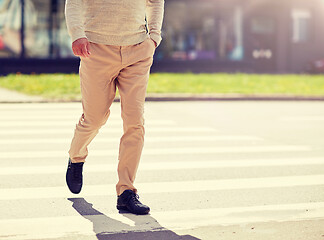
x=189, y=97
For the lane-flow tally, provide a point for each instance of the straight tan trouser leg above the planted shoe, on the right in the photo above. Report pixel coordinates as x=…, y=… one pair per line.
x=132, y=82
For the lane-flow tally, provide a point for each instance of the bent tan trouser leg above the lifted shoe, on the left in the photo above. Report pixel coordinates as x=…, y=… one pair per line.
x=98, y=89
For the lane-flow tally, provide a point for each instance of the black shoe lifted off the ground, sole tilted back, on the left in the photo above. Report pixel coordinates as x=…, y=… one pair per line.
x=74, y=176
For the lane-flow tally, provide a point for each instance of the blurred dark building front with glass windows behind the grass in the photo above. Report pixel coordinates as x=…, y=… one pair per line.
x=263, y=36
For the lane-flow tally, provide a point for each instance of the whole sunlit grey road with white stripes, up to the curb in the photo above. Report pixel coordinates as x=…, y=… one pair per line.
x=209, y=170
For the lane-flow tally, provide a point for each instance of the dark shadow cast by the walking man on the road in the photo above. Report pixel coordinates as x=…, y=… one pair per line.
x=146, y=227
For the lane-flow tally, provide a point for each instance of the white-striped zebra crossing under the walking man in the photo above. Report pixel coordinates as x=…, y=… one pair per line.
x=191, y=175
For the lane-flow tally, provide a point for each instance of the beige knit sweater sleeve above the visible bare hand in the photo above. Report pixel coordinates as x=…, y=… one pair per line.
x=73, y=16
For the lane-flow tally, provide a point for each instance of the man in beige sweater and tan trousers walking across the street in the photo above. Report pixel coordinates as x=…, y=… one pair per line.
x=116, y=40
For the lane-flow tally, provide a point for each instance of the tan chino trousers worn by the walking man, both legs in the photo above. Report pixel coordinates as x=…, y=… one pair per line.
x=108, y=67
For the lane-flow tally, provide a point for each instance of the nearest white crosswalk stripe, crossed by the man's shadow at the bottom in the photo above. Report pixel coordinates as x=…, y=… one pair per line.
x=183, y=219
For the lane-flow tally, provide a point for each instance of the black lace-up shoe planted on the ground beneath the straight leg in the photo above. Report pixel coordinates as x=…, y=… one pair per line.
x=128, y=201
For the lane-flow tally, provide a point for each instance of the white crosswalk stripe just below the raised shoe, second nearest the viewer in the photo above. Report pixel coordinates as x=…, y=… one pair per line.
x=167, y=187
